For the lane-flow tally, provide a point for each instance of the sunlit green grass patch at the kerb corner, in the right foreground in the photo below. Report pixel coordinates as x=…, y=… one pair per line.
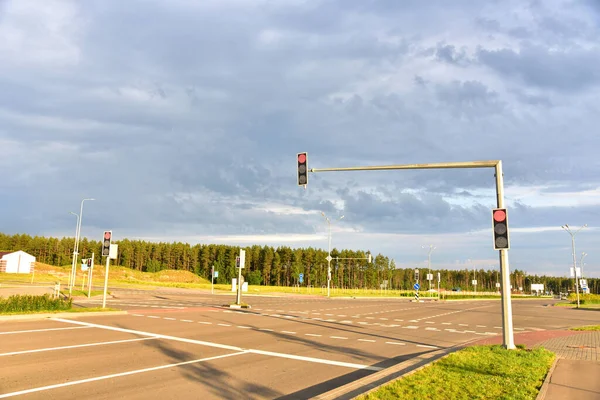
x=479, y=372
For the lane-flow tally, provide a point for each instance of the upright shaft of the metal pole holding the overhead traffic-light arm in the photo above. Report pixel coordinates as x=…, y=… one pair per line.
x=507, y=326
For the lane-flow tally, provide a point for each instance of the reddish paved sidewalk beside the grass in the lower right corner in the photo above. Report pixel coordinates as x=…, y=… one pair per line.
x=576, y=373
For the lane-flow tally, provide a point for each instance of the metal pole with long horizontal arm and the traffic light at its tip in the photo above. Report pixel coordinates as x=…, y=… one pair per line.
x=507, y=327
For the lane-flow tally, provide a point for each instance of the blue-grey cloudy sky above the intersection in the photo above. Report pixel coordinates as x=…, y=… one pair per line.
x=183, y=119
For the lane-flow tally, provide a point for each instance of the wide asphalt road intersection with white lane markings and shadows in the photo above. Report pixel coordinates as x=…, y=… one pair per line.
x=178, y=344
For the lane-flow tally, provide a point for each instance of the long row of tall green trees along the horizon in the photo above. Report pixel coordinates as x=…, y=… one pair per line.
x=279, y=266
